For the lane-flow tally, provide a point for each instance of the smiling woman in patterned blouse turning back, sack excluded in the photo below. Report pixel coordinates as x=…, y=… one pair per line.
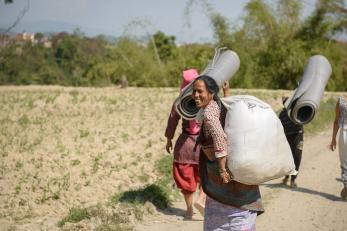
x=230, y=205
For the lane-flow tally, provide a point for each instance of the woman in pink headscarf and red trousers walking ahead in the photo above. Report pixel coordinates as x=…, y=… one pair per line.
x=186, y=159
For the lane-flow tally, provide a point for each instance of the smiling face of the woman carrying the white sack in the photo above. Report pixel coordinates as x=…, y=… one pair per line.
x=200, y=94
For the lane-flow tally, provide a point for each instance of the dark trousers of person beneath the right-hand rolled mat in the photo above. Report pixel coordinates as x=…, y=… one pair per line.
x=296, y=144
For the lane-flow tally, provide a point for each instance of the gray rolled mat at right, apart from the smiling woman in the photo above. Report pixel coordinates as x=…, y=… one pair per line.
x=304, y=103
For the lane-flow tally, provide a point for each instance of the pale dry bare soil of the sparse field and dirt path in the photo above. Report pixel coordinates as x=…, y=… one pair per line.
x=65, y=147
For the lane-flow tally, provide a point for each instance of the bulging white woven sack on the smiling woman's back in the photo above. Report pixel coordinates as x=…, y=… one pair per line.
x=258, y=150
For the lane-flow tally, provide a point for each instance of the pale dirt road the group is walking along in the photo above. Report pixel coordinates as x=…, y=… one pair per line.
x=314, y=205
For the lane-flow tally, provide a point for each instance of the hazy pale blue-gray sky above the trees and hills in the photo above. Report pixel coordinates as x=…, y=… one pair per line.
x=113, y=17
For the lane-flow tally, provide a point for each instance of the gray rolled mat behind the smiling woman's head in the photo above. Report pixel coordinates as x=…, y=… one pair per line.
x=223, y=66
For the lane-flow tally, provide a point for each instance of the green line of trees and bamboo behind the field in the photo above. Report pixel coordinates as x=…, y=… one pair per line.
x=273, y=43
